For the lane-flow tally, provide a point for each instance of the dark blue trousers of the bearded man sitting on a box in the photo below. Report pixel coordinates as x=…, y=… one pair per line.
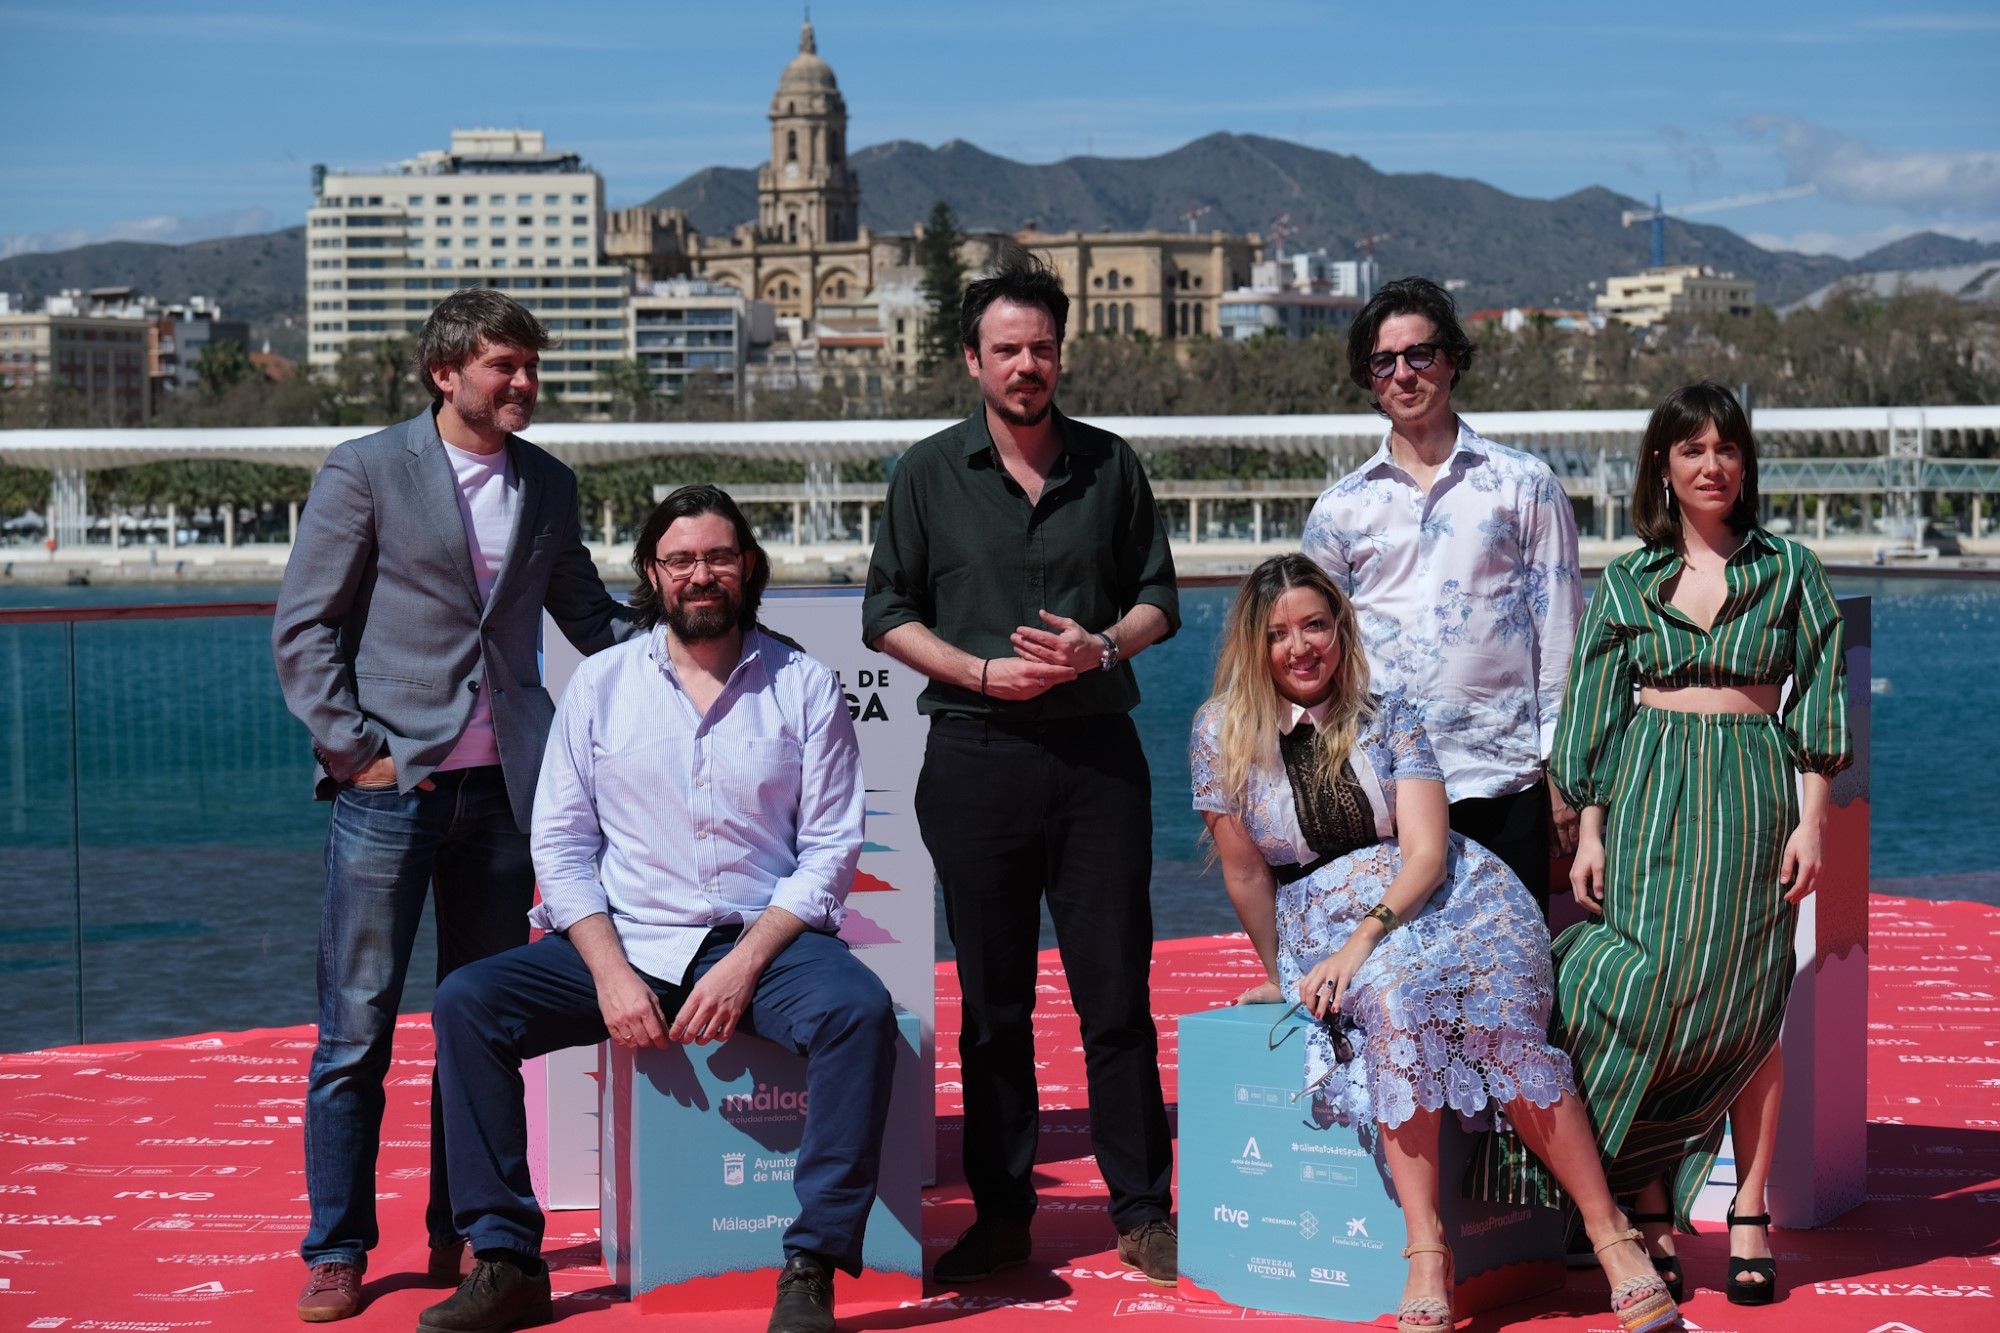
x=815, y=1000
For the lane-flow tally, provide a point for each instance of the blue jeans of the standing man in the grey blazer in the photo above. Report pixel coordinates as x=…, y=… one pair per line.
x=385, y=854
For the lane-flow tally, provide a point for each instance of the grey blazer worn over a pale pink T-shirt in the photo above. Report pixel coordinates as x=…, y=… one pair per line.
x=381, y=637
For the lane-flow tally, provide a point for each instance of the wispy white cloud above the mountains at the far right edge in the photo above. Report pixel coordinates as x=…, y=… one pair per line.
x=1849, y=171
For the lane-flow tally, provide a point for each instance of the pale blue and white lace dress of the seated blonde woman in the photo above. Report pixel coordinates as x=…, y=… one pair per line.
x=1451, y=1010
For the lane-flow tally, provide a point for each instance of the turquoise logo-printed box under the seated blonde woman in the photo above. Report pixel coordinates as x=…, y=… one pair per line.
x=1279, y=1216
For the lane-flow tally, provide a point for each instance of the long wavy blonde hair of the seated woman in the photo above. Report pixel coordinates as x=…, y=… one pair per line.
x=1247, y=694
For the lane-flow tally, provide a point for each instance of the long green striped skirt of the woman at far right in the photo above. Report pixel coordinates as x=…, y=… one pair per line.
x=1673, y=1000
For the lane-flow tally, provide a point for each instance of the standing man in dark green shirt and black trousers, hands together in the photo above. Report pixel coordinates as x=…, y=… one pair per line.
x=1019, y=565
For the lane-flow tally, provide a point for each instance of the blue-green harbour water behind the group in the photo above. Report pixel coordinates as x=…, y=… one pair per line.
x=197, y=844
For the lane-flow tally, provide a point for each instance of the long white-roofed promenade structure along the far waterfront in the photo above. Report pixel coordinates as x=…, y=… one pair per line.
x=1857, y=483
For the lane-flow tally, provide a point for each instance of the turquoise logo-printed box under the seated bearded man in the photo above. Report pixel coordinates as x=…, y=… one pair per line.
x=699, y=1148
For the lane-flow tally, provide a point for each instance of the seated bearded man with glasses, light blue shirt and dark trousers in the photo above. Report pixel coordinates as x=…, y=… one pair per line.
x=695, y=838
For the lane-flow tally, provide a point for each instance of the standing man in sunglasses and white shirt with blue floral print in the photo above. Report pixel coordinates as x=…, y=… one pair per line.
x=1461, y=559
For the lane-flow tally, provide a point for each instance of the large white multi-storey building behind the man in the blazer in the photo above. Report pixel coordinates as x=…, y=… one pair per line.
x=497, y=209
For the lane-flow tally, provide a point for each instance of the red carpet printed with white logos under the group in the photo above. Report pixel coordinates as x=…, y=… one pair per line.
x=159, y=1188
